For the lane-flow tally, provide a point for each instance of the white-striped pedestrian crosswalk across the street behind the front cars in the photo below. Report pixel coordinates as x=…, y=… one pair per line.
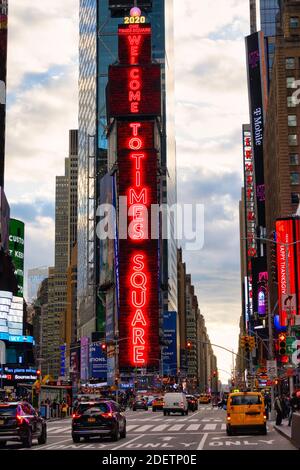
x=155, y=428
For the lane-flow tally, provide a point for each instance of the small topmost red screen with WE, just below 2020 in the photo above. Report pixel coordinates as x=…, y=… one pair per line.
x=135, y=44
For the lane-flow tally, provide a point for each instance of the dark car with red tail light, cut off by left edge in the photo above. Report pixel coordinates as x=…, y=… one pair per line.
x=20, y=422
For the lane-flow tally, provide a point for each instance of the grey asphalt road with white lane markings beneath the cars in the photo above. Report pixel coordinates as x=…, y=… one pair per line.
x=202, y=430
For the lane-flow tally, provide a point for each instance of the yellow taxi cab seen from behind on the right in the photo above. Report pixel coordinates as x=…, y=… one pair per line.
x=246, y=411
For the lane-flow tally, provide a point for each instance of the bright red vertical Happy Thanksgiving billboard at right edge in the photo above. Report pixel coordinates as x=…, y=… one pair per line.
x=286, y=266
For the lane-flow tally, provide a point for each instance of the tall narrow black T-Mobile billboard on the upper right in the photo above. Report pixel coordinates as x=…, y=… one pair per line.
x=257, y=89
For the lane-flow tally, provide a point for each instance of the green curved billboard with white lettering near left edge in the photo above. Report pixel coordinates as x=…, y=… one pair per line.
x=16, y=250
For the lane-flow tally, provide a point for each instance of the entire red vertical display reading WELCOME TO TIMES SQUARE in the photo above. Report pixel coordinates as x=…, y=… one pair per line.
x=134, y=98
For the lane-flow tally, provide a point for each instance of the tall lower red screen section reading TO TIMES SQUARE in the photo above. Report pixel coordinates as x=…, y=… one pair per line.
x=138, y=258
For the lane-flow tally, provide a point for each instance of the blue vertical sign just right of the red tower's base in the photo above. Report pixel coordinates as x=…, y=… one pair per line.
x=170, y=348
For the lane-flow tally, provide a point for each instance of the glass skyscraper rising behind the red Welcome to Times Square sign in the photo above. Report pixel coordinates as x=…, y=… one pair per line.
x=98, y=49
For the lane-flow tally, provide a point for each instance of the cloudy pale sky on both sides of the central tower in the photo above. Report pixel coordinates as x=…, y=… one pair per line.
x=211, y=106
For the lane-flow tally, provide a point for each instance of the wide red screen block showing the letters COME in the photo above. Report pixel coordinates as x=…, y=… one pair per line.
x=134, y=91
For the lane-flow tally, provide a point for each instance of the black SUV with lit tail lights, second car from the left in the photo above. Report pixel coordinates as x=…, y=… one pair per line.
x=97, y=419
